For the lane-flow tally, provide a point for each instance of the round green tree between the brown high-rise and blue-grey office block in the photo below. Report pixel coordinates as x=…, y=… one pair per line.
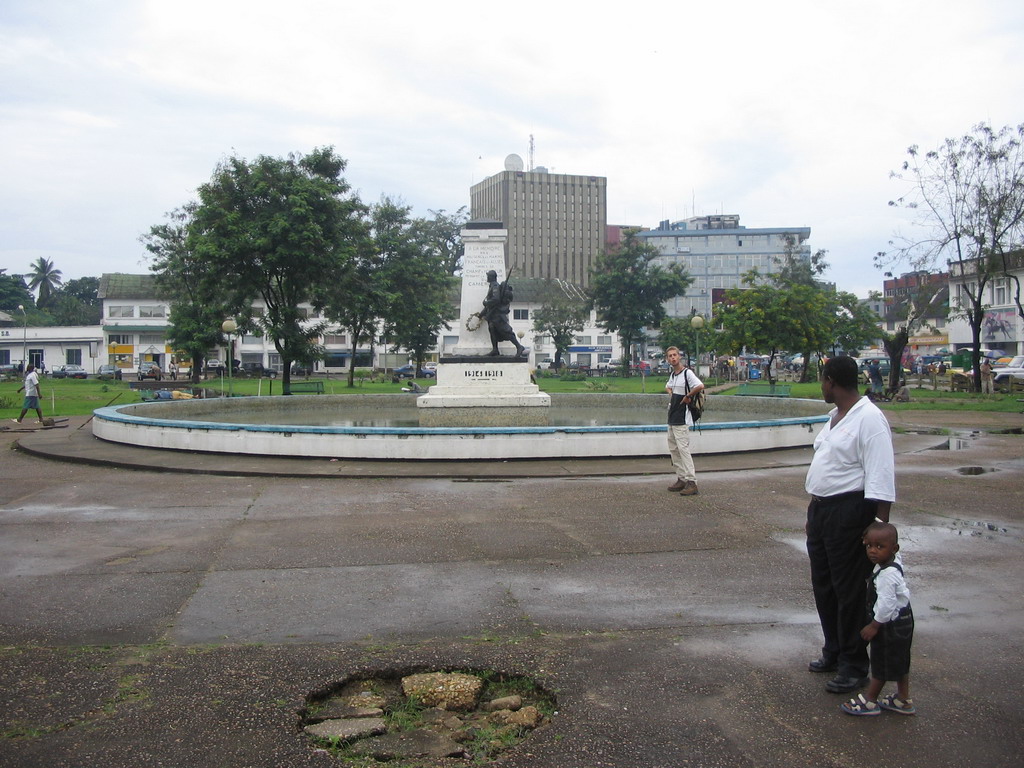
x=630, y=291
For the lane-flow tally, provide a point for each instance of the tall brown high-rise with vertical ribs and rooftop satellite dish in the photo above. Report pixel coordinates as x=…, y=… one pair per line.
x=557, y=223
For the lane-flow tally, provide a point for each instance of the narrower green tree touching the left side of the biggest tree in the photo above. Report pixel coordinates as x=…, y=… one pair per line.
x=186, y=280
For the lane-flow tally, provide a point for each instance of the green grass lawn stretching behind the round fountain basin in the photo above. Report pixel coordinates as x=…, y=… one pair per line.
x=80, y=398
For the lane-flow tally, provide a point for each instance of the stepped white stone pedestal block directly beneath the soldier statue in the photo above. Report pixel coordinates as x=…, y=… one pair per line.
x=484, y=392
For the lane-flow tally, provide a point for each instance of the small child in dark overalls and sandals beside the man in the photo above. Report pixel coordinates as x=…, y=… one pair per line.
x=891, y=630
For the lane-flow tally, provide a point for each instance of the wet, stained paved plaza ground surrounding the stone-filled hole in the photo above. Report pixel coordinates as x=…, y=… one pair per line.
x=180, y=619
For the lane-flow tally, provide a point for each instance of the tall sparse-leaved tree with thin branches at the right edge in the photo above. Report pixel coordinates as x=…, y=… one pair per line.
x=967, y=200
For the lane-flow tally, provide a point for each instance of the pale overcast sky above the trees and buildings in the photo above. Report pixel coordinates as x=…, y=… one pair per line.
x=789, y=114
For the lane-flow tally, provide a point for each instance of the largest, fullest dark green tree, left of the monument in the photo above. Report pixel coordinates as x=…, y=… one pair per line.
x=275, y=231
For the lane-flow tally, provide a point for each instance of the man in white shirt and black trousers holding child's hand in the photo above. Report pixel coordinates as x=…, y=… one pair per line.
x=852, y=483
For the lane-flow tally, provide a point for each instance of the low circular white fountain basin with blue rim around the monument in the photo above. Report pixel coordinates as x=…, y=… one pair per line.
x=274, y=426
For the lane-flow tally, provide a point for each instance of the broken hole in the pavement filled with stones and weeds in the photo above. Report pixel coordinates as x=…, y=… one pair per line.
x=425, y=717
